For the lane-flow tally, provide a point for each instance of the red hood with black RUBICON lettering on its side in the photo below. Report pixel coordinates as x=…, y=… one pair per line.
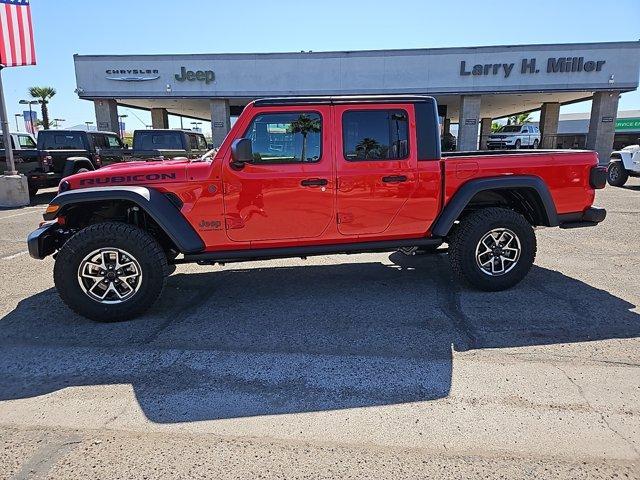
x=131, y=173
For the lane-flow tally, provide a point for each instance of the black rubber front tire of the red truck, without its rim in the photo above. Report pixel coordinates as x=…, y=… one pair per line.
x=128, y=238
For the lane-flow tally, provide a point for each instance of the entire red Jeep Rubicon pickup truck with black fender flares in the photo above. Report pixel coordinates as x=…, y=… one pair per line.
x=310, y=176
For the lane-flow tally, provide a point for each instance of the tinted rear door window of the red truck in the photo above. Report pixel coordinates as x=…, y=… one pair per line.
x=375, y=135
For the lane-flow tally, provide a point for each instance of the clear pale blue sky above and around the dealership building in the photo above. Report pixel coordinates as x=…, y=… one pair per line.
x=65, y=27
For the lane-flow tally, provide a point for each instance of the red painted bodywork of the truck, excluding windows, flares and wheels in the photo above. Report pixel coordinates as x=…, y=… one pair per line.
x=265, y=206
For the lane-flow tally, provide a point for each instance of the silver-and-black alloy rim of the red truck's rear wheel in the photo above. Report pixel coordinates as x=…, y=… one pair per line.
x=498, y=251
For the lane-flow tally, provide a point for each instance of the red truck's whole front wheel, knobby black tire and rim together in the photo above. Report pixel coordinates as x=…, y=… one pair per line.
x=109, y=272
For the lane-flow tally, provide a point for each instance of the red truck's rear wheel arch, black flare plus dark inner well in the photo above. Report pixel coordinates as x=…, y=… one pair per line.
x=527, y=195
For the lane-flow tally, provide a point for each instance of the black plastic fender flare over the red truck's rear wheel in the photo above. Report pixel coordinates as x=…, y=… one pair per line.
x=463, y=196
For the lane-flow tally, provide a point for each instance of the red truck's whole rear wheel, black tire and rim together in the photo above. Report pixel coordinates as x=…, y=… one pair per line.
x=492, y=249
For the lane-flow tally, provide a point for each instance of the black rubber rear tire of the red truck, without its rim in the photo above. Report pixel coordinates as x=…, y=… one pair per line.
x=467, y=235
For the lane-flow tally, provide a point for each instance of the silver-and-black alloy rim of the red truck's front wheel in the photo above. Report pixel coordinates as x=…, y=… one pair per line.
x=109, y=275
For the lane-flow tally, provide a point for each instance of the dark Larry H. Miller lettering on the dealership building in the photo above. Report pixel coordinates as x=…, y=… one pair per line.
x=530, y=65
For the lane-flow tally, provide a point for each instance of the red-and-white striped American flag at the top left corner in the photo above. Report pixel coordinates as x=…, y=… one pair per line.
x=16, y=34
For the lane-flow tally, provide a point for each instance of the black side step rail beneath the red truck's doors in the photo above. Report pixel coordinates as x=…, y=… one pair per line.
x=224, y=256
